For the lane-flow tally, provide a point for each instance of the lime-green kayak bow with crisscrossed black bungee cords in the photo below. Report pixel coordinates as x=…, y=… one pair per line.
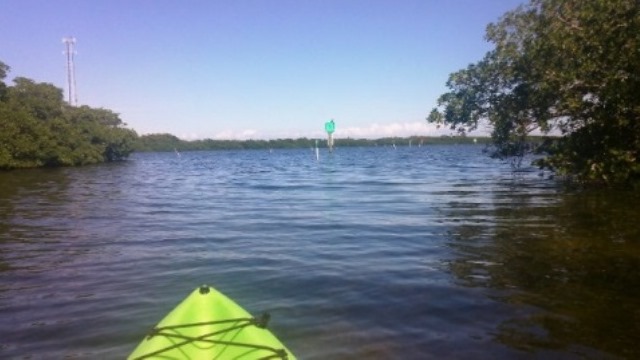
x=209, y=325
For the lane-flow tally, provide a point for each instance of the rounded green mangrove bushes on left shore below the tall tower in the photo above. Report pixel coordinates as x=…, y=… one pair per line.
x=37, y=128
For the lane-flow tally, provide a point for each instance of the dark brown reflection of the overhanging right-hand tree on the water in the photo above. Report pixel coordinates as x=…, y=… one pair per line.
x=573, y=258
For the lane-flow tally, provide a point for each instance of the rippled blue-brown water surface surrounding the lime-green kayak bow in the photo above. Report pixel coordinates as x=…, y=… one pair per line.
x=413, y=253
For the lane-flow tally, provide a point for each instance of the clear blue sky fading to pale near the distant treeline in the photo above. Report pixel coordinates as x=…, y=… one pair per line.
x=260, y=69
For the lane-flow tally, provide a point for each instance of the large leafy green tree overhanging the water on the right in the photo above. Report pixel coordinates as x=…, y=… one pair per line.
x=565, y=67
